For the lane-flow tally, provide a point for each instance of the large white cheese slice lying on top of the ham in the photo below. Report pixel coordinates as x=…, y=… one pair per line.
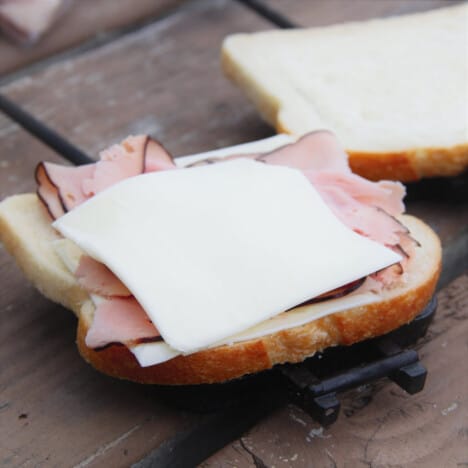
x=213, y=250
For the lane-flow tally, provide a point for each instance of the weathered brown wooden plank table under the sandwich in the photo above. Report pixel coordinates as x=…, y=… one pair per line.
x=157, y=71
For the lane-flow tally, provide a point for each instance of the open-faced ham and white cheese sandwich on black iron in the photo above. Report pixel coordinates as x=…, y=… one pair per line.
x=206, y=268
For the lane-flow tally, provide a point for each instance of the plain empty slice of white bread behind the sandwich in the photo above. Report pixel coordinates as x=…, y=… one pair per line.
x=394, y=90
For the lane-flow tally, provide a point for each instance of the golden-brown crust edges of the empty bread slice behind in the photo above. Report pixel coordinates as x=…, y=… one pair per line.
x=409, y=165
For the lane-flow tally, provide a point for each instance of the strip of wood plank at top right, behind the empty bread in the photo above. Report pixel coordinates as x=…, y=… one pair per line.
x=309, y=13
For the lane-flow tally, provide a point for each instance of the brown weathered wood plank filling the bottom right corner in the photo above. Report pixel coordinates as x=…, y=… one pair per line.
x=379, y=425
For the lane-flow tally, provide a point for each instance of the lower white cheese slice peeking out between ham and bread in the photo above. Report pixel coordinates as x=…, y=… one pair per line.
x=150, y=354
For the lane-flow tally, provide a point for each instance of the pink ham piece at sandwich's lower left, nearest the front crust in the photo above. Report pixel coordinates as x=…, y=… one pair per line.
x=119, y=320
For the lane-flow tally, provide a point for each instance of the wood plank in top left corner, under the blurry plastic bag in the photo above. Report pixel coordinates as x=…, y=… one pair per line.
x=86, y=19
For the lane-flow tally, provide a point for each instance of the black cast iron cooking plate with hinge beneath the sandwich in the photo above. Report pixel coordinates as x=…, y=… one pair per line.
x=313, y=384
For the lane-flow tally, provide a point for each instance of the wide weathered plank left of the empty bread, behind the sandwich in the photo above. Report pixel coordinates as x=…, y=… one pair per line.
x=164, y=79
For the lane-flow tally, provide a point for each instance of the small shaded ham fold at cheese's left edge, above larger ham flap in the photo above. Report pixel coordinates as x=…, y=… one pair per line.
x=96, y=278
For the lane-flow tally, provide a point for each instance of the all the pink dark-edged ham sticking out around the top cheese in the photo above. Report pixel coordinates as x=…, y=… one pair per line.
x=364, y=206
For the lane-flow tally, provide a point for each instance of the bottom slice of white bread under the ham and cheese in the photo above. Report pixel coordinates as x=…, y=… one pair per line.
x=26, y=232
